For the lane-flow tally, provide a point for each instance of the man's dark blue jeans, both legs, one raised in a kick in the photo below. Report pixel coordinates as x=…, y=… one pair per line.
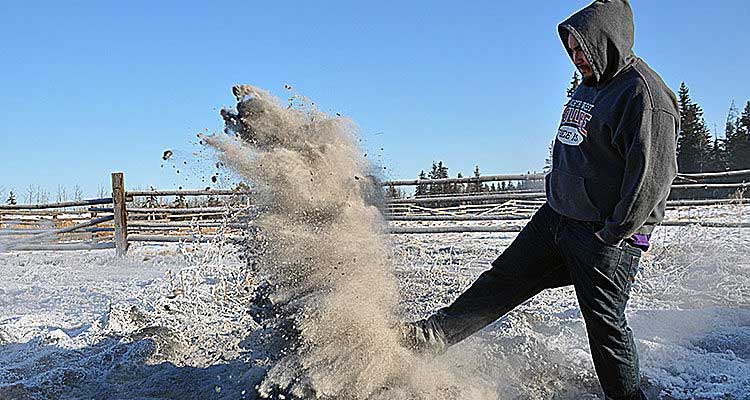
x=553, y=251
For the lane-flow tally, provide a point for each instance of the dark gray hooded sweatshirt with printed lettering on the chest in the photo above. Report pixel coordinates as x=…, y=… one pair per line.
x=614, y=157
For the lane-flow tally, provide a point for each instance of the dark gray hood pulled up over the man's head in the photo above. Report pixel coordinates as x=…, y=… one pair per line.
x=606, y=33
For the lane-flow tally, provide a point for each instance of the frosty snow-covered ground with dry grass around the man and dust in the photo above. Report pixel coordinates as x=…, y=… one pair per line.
x=184, y=322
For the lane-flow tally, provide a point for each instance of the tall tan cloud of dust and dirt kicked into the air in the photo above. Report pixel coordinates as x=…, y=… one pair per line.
x=326, y=256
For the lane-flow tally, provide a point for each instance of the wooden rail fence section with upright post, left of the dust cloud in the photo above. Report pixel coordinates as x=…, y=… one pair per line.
x=115, y=222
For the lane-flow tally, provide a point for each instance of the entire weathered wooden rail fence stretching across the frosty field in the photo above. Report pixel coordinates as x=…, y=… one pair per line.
x=117, y=221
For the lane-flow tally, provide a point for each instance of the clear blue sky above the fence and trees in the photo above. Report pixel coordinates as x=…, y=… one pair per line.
x=93, y=87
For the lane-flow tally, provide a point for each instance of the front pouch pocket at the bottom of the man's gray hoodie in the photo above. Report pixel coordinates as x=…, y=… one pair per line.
x=566, y=194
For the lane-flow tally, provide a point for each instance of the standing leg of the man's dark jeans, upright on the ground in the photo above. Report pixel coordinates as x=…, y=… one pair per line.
x=602, y=276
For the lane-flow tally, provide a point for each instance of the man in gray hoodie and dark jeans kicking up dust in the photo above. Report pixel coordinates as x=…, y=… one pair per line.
x=614, y=160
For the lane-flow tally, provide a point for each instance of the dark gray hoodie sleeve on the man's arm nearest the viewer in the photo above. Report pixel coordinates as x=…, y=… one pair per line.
x=646, y=137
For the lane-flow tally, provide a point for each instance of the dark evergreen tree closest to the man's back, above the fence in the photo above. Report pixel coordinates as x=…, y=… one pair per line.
x=694, y=141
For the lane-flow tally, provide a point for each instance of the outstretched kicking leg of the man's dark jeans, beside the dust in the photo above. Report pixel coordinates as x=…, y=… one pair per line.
x=529, y=265
